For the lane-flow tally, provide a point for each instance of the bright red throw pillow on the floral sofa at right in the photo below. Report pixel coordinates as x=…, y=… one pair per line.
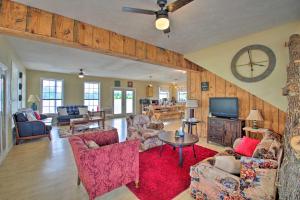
x=247, y=146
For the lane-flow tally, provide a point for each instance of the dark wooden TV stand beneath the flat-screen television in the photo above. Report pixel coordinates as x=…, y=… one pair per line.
x=224, y=131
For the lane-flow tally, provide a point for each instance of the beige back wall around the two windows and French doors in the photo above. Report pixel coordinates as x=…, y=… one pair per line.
x=73, y=87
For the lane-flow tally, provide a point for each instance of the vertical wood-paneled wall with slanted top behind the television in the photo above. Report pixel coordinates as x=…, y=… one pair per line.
x=274, y=118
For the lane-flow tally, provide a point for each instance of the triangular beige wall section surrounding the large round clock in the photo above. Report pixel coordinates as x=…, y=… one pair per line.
x=217, y=59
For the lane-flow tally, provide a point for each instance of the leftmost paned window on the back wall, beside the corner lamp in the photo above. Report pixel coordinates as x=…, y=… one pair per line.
x=52, y=95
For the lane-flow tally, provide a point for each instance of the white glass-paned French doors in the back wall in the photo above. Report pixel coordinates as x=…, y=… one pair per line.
x=123, y=101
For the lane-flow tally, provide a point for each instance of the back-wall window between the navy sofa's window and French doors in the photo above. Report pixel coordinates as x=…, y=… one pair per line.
x=92, y=95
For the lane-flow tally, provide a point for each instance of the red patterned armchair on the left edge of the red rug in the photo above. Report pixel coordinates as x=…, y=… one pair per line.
x=107, y=167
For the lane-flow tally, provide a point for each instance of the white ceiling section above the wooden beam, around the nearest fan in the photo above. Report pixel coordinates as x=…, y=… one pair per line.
x=197, y=25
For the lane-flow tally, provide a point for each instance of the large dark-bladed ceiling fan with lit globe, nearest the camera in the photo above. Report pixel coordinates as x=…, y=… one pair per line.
x=162, y=21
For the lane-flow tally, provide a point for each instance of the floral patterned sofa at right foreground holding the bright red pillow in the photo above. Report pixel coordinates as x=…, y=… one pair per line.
x=257, y=178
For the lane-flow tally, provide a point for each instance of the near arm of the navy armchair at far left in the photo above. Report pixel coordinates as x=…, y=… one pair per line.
x=31, y=128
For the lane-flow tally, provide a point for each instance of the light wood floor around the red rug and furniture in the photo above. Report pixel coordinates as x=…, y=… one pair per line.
x=43, y=170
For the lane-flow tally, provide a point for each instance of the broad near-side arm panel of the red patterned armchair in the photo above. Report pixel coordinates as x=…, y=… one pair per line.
x=110, y=166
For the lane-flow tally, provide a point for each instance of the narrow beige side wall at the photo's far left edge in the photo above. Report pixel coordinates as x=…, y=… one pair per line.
x=10, y=60
